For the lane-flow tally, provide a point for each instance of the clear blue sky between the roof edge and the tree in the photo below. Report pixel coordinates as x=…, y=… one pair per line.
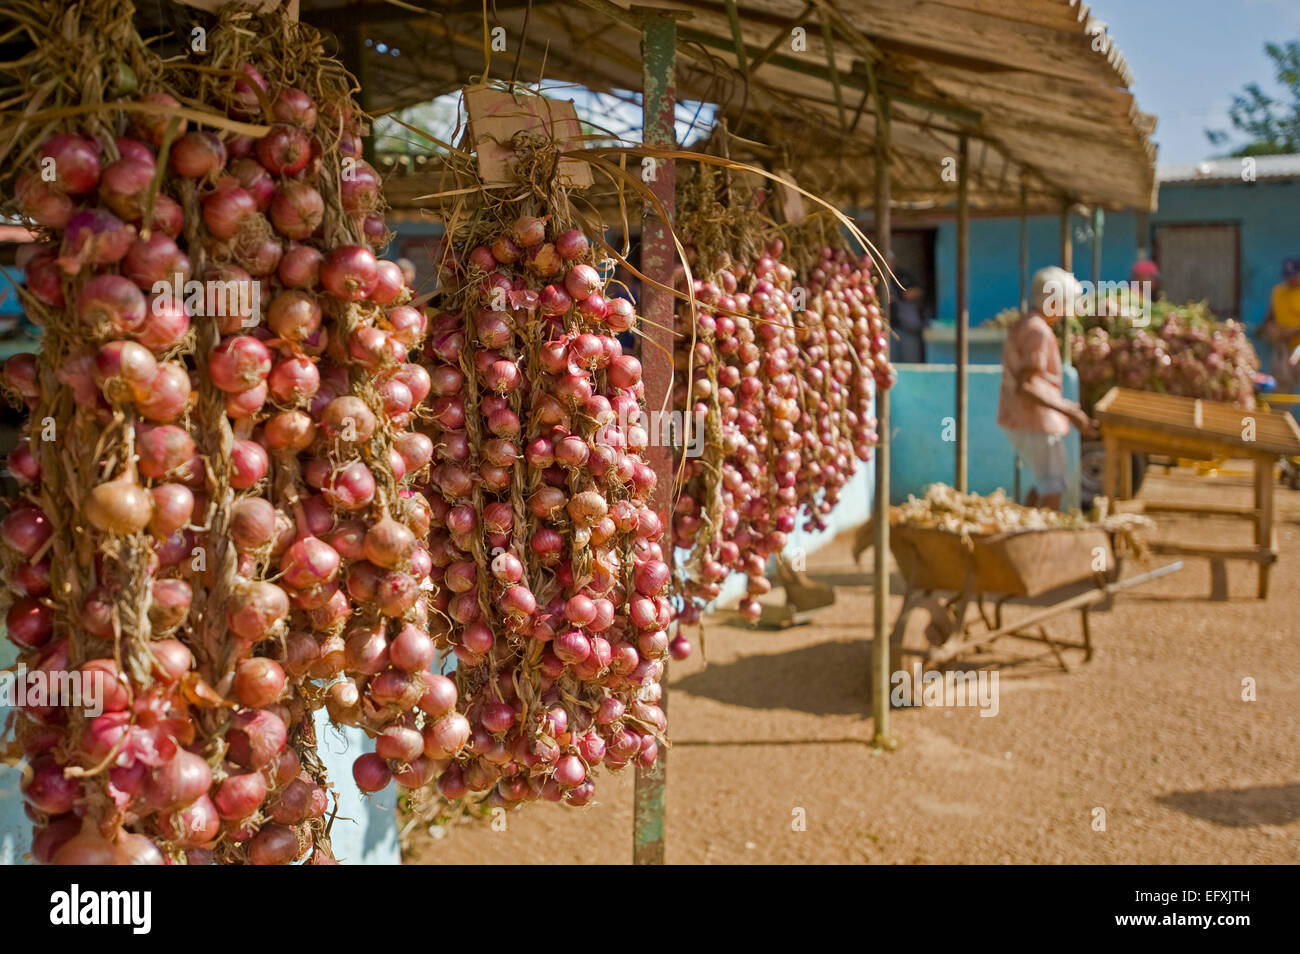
x=1190, y=57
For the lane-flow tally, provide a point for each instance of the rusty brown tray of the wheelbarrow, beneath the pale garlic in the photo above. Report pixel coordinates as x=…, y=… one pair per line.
x=1020, y=563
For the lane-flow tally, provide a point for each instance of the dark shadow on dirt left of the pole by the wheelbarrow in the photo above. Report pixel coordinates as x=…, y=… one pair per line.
x=826, y=679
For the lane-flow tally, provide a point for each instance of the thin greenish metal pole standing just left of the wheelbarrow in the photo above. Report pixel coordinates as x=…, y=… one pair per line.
x=881, y=662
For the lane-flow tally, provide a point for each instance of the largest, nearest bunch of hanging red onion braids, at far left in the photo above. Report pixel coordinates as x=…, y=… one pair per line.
x=203, y=472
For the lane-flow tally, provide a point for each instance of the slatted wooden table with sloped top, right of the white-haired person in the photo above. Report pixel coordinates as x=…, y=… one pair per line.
x=1150, y=423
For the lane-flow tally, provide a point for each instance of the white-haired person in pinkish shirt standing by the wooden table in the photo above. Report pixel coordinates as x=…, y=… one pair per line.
x=1032, y=409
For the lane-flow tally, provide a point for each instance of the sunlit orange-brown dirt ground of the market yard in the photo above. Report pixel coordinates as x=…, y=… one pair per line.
x=1154, y=731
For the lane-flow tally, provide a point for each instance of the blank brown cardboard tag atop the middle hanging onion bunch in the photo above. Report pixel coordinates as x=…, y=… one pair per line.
x=496, y=116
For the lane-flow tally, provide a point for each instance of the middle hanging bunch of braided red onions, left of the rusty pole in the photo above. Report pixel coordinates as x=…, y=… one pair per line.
x=552, y=583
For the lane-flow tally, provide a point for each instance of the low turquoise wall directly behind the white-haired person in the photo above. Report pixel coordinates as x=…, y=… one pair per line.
x=920, y=404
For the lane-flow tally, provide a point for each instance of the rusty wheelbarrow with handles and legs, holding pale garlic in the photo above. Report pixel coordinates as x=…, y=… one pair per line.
x=952, y=579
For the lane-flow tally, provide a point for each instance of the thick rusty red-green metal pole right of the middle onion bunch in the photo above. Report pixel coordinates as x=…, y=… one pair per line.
x=658, y=55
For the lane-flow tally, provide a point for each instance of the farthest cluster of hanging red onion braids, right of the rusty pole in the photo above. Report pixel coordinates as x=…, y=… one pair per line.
x=779, y=378
